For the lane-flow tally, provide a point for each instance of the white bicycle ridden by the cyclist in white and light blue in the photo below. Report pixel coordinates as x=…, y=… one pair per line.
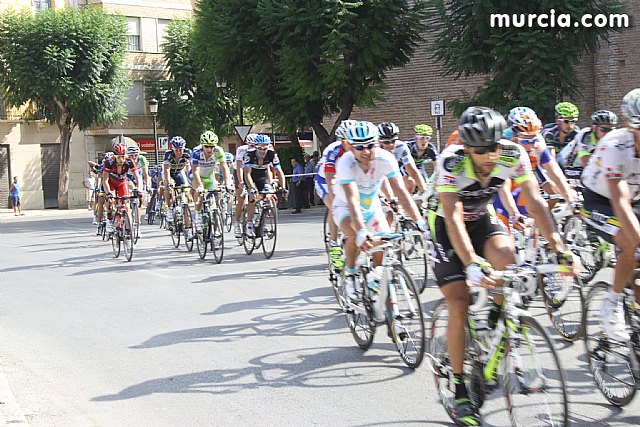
x=396, y=304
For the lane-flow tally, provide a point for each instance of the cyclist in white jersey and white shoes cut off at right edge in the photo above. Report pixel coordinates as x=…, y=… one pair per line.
x=611, y=206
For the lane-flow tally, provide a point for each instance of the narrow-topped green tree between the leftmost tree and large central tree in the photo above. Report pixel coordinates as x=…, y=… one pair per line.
x=189, y=102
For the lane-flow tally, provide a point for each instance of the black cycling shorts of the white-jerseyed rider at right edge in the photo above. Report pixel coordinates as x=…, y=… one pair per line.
x=597, y=213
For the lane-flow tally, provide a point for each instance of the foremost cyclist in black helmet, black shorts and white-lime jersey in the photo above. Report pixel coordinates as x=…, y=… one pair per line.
x=462, y=231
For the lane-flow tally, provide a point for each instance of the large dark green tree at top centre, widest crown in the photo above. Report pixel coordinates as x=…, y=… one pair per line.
x=297, y=61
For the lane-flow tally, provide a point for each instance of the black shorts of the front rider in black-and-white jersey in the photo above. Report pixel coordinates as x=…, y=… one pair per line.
x=447, y=267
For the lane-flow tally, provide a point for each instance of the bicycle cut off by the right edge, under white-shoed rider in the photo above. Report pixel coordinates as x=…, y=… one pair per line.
x=615, y=365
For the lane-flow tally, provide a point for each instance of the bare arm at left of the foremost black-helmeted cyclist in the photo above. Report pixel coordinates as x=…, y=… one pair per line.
x=453, y=212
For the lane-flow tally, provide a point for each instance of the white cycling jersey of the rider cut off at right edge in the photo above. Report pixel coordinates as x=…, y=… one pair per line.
x=613, y=158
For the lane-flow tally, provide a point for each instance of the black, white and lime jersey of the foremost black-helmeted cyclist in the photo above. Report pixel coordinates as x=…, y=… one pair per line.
x=458, y=176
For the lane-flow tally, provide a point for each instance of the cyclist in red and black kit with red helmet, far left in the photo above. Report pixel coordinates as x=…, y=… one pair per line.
x=114, y=177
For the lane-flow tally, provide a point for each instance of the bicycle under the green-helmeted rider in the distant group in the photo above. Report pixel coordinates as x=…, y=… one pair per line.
x=212, y=234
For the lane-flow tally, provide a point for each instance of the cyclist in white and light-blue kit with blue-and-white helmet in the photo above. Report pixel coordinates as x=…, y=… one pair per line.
x=360, y=174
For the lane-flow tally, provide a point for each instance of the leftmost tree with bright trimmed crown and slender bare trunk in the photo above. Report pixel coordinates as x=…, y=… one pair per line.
x=69, y=65
